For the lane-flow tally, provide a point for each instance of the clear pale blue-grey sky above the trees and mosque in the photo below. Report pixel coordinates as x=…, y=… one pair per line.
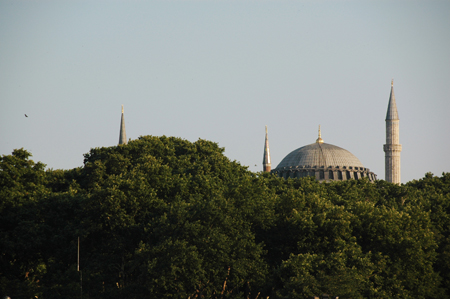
x=222, y=71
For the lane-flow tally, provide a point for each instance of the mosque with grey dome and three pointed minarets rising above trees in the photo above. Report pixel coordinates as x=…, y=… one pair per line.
x=328, y=162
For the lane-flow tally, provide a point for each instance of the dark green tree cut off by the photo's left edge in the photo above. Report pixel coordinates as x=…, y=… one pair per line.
x=22, y=184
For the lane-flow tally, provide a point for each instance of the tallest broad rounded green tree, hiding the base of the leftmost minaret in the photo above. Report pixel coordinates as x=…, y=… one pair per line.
x=170, y=218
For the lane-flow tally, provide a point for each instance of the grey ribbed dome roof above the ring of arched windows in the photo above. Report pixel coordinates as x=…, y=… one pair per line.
x=320, y=154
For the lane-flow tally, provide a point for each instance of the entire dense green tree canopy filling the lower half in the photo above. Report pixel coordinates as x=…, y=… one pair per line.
x=164, y=217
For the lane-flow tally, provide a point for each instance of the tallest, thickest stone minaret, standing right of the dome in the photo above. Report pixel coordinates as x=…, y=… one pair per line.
x=392, y=148
